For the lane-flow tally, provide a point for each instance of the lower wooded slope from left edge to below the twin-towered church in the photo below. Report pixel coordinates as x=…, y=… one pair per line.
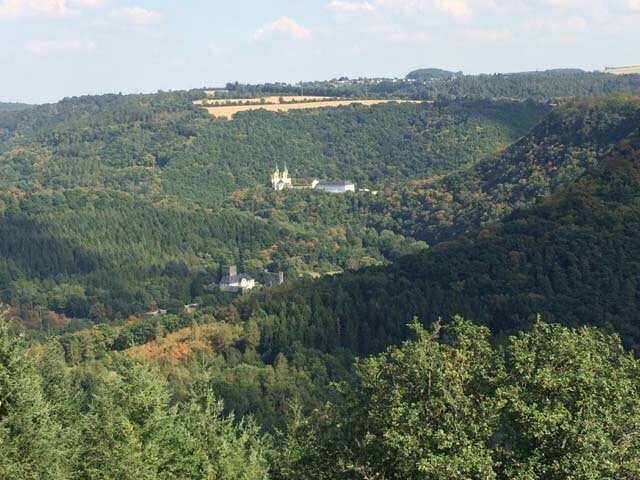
x=104, y=255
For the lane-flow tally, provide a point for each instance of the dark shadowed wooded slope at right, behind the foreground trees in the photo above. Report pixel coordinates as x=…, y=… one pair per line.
x=573, y=258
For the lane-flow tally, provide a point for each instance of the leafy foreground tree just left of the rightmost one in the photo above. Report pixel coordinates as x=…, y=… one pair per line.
x=427, y=408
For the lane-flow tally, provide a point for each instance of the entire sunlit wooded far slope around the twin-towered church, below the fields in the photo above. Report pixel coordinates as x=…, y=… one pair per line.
x=139, y=199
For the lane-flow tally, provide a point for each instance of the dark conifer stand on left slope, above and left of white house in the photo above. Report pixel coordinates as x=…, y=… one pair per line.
x=95, y=255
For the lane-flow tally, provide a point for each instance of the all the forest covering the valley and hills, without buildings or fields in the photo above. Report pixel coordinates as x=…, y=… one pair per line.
x=472, y=312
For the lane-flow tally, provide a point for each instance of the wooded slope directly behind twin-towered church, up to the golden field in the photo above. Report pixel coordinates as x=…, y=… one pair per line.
x=391, y=142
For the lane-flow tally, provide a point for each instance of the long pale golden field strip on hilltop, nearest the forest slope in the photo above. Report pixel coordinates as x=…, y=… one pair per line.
x=229, y=111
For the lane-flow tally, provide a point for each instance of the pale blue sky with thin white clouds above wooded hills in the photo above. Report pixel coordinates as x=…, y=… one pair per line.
x=51, y=49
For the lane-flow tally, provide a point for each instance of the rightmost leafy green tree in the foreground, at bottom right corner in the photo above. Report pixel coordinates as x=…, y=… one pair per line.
x=569, y=406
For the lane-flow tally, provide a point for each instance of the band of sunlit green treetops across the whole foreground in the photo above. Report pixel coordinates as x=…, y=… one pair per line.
x=446, y=403
